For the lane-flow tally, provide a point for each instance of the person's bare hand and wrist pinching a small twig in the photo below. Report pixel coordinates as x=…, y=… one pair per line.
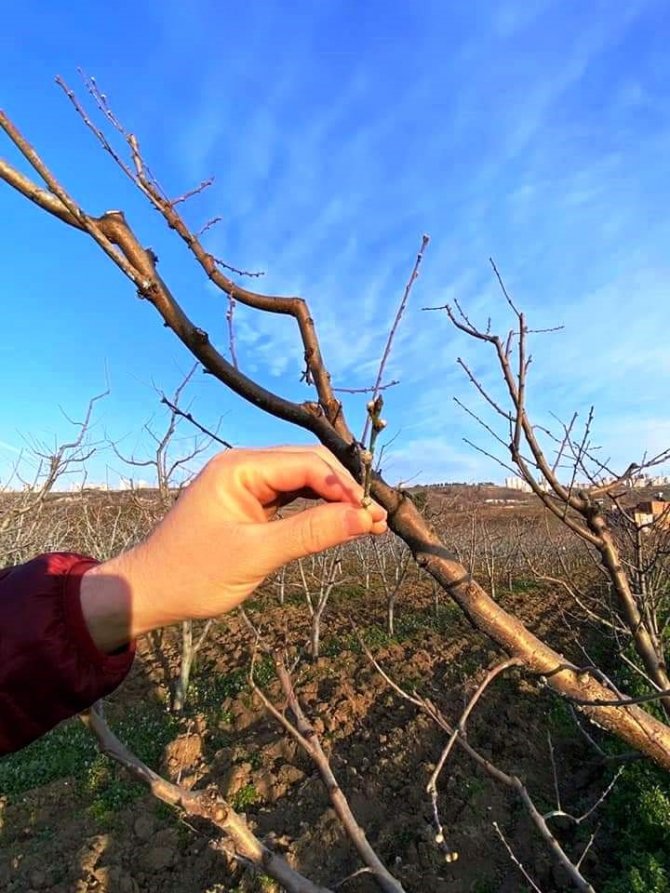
x=215, y=545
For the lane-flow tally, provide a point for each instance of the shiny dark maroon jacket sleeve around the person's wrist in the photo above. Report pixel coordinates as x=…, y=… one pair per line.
x=50, y=667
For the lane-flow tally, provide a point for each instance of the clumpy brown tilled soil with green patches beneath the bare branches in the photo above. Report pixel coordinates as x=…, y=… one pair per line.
x=70, y=821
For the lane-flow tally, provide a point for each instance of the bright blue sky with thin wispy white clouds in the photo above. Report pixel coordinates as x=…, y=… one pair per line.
x=339, y=132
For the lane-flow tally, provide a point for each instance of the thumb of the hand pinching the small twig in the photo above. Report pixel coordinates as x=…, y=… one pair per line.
x=316, y=529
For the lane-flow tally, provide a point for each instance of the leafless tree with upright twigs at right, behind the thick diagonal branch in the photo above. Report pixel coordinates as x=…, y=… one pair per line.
x=580, y=503
